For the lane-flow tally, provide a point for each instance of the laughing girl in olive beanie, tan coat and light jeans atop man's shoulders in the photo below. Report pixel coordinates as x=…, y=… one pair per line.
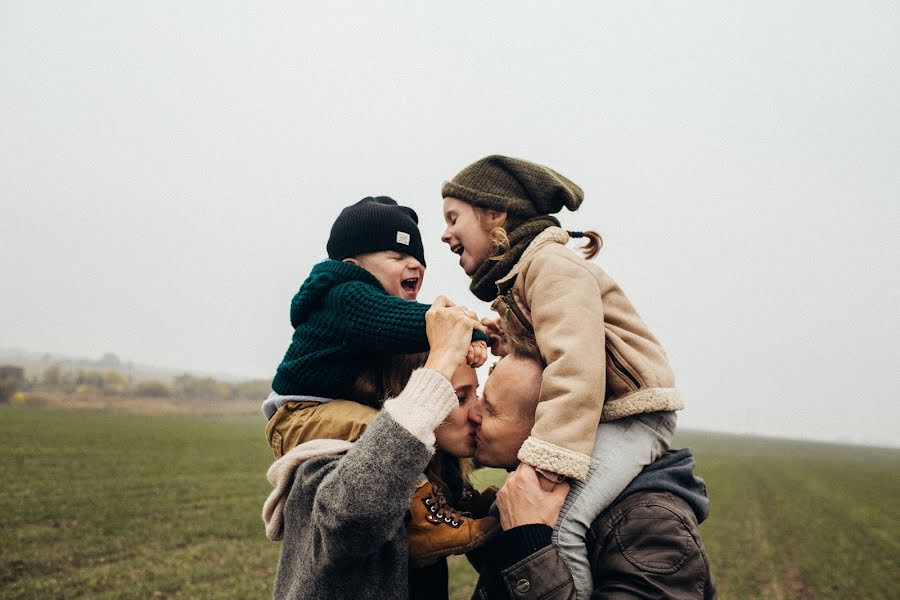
x=602, y=364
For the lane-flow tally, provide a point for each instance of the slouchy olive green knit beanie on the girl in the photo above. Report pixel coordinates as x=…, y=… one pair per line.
x=515, y=186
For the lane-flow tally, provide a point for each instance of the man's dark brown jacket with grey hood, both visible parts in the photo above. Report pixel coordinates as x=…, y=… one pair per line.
x=647, y=544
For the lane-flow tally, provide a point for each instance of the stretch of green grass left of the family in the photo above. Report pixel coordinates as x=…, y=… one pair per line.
x=102, y=505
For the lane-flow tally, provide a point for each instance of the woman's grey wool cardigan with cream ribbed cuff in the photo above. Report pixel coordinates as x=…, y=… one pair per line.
x=344, y=535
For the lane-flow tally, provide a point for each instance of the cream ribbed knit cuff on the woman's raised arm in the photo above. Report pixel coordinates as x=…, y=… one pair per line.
x=424, y=403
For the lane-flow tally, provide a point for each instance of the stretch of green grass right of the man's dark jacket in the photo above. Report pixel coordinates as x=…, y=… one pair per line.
x=800, y=520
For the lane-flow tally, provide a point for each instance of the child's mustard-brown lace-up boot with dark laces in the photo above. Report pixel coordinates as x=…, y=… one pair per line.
x=435, y=529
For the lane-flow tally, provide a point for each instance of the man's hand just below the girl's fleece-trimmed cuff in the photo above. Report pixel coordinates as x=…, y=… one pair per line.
x=521, y=500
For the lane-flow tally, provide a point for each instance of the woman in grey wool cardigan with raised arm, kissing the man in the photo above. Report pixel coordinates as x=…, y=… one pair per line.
x=343, y=516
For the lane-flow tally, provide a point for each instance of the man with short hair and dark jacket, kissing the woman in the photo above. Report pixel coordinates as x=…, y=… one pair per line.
x=645, y=545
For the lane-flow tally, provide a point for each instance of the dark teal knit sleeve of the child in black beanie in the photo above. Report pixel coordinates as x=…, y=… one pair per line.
x=381, y=322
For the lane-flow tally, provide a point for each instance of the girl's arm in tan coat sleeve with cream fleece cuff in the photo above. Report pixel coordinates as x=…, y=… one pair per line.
x=567, y=314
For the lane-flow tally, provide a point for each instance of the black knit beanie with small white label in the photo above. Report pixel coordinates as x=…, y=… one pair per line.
x=375, y=224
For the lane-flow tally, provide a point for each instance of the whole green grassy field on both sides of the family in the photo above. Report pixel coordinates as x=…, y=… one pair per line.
x=101, y=505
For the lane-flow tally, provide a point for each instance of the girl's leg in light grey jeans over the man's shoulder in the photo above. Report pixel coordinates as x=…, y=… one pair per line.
x=621, y=450
